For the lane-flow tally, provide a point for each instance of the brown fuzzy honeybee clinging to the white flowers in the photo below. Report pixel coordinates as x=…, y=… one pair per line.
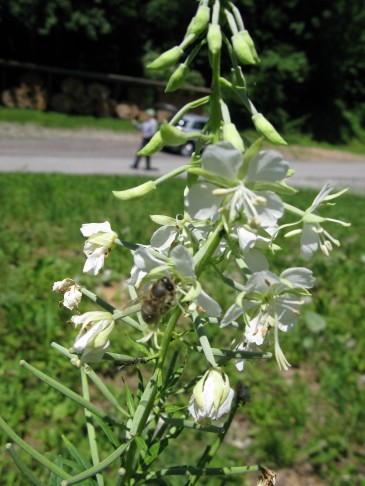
x=160, y=297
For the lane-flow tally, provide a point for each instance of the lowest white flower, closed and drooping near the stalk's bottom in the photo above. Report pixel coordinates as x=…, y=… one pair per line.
x=212, y=396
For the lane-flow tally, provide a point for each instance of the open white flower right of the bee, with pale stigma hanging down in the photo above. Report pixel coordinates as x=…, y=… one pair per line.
x=271, y=302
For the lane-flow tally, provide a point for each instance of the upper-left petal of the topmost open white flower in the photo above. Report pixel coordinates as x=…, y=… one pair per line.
x=223, y=159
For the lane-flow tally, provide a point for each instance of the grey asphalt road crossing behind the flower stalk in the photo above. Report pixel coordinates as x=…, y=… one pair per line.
x=92, y=153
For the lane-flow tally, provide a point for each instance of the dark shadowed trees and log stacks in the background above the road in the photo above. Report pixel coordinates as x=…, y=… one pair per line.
x=86, y=57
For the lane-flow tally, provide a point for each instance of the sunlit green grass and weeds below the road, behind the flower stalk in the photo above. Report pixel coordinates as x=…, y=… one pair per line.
x=308, y=419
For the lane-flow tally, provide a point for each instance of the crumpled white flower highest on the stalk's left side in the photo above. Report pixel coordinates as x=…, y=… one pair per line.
x=101, y=240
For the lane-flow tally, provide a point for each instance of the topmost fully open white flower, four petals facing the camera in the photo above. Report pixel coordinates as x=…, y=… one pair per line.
x=243, y=190
